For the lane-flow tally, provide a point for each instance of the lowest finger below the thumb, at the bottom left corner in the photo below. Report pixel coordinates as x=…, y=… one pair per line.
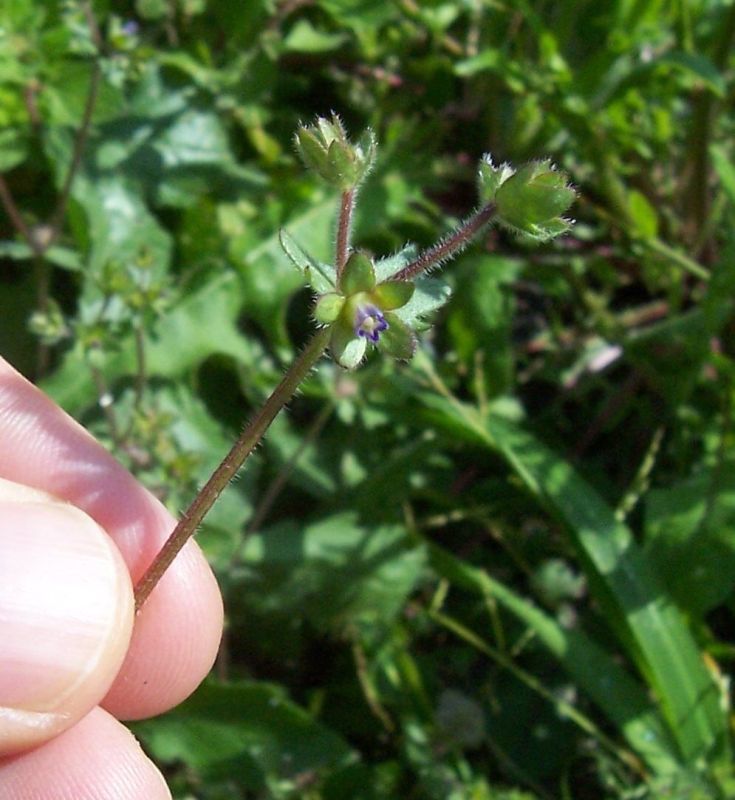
x=97, y=759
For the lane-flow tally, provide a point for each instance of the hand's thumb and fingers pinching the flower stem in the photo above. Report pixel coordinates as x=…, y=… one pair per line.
x=76, y=531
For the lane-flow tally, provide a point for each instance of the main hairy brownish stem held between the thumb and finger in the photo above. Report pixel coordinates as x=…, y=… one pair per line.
x=231, y=463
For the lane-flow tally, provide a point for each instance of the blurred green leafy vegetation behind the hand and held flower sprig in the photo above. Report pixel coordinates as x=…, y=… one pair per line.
x=504, y=570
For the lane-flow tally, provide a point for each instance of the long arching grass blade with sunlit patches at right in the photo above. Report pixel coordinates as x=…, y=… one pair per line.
x=623, y=581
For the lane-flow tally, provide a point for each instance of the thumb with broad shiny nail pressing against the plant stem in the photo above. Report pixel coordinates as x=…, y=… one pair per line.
x=66, y=614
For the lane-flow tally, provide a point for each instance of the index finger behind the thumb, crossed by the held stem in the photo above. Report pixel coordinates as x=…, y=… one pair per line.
x=177, y=633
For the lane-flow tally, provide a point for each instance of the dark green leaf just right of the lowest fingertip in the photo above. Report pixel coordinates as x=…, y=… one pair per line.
x=247, y=732
